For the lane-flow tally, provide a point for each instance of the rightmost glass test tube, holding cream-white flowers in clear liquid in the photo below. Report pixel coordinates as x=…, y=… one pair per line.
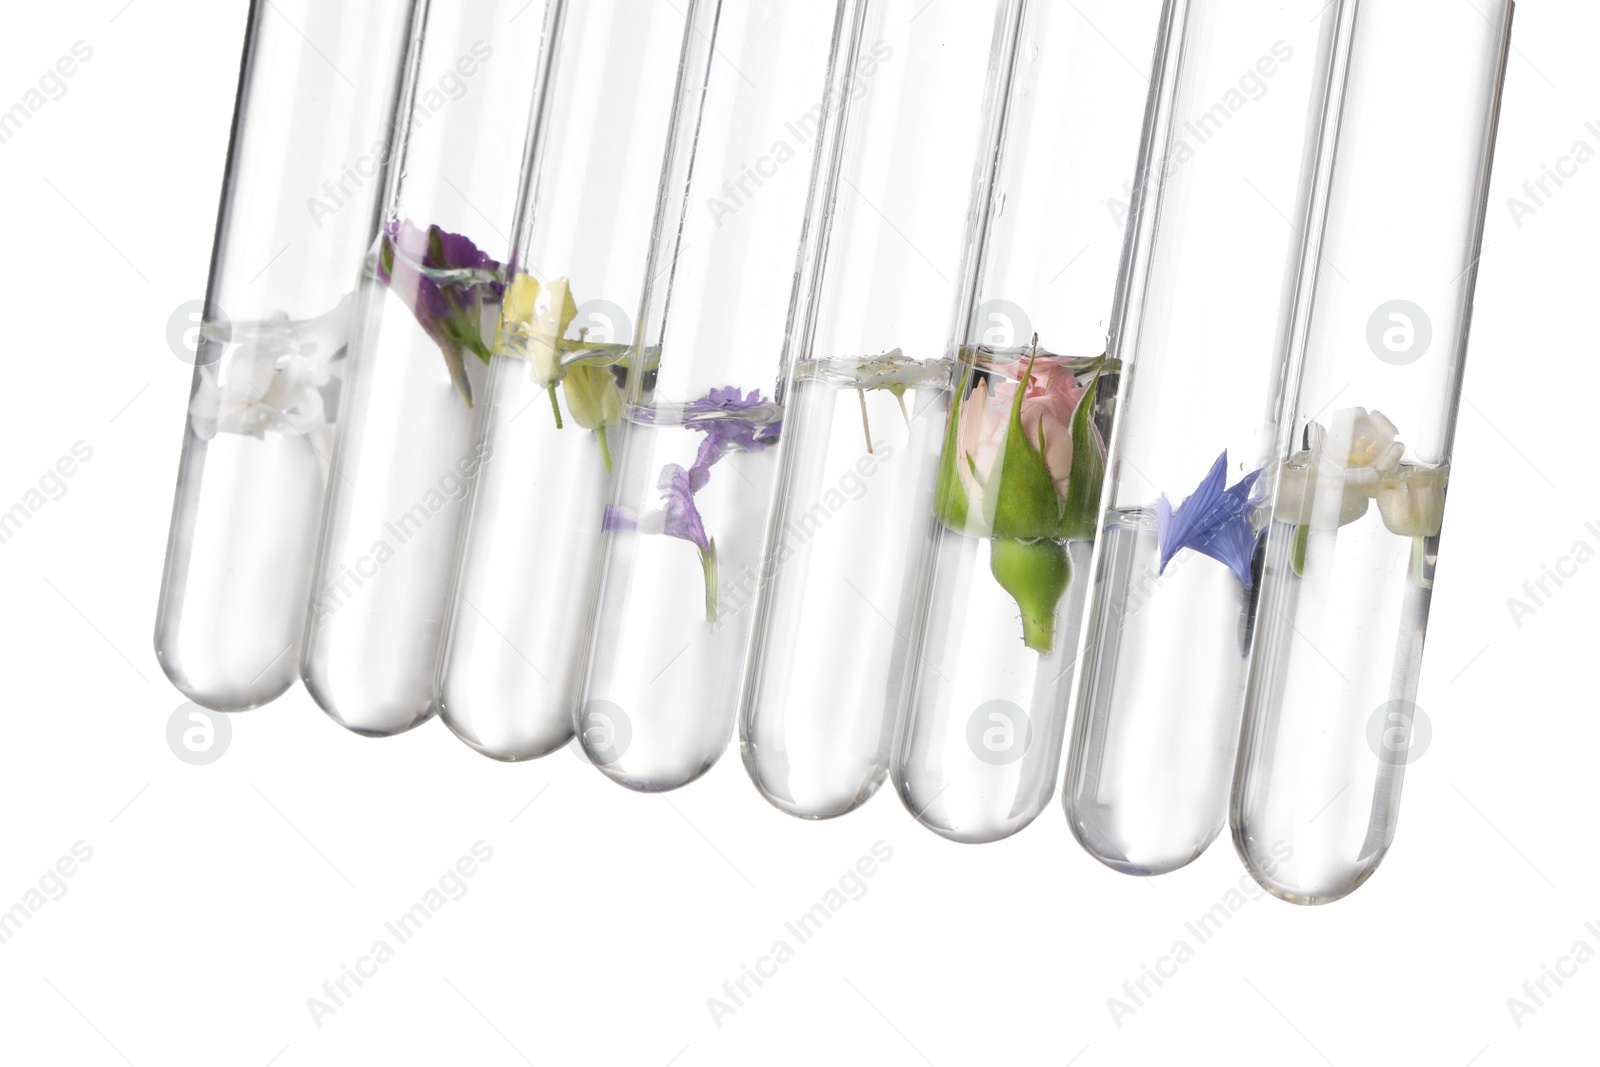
x=1382, y=335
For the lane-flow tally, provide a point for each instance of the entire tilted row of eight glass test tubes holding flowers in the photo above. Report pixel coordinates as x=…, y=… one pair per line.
x=886, y=385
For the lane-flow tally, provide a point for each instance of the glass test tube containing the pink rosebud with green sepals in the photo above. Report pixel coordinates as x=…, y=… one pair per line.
x=1020, y=473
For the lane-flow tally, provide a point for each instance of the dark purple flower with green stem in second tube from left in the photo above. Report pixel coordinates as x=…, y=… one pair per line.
x=417, y=266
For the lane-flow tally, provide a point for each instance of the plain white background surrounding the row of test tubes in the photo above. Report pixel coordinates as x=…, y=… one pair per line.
x=220, y=898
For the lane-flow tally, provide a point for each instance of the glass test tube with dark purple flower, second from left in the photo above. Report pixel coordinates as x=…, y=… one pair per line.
x=426, y=321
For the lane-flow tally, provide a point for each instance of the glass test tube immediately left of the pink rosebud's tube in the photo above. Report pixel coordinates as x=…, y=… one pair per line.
x=866, y=410
